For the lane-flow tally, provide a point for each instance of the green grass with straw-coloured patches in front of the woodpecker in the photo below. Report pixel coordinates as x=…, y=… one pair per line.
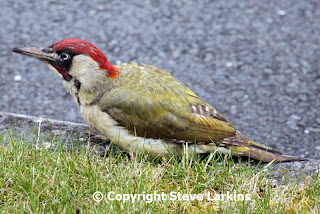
x=38, y=180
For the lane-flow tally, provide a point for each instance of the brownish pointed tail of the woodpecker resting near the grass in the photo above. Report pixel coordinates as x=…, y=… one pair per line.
x=243, y=146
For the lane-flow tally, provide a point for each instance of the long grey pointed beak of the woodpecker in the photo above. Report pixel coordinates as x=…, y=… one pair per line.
x=43, y=54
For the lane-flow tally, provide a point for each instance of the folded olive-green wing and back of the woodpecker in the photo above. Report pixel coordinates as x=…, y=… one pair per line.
x=148, y=101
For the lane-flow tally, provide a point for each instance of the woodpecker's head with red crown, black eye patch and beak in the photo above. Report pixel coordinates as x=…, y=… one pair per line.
x=73, y=58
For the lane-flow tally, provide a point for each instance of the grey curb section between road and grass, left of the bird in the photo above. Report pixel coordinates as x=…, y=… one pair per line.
x=50, y=133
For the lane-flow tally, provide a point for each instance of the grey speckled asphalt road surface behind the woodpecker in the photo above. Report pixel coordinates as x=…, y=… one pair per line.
x=257, y=62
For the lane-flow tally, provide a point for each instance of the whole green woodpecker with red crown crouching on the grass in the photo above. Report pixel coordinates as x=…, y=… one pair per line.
x=143, y=108
